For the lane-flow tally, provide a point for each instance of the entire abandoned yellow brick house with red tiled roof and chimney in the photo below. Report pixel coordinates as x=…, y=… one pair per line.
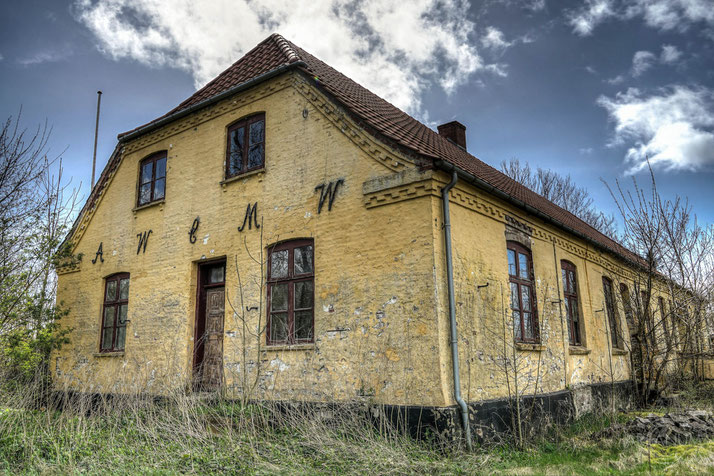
x=286, y=234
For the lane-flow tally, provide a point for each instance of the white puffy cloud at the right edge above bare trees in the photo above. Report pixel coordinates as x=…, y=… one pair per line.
x=674, y=128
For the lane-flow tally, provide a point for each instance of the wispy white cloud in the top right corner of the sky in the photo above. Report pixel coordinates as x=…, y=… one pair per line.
x=659, y=14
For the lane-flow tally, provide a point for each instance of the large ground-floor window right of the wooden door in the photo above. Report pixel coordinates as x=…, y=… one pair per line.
x=291, y=282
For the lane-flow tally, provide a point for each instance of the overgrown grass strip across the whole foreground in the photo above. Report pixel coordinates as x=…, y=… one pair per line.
x=184, y=434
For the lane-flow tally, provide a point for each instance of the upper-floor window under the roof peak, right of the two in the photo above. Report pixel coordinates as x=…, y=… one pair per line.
x=246, y=145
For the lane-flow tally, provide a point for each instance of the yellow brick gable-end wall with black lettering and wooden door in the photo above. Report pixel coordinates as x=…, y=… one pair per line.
x=374, y=296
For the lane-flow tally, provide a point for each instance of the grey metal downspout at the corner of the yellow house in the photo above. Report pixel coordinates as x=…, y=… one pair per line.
x=452, y=311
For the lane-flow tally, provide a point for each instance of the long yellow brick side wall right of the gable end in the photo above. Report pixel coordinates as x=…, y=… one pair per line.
x=480, y=227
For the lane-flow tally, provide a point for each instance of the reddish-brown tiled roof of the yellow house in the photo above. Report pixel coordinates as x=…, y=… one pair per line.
x=275, y=54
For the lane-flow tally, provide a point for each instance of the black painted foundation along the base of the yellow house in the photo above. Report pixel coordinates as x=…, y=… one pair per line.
x=490, y=420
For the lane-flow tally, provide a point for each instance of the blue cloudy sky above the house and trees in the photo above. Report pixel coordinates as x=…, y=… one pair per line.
x=588, y=88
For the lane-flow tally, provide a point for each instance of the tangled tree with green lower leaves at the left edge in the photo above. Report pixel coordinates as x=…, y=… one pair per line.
x=36, y=208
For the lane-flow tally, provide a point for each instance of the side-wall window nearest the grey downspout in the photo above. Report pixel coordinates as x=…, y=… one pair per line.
x=523, y=303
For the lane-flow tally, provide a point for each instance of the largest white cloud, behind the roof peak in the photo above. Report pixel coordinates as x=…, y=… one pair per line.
x=396, y=49
